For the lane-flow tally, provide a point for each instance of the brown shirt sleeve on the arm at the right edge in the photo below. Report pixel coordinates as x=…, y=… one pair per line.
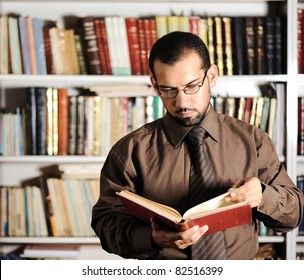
x=281, y=208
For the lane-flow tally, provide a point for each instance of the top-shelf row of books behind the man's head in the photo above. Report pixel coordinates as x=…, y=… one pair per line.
x=116, y=45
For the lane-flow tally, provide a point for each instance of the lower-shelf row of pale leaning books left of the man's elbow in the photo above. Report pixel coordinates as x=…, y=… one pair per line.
x=59, y=207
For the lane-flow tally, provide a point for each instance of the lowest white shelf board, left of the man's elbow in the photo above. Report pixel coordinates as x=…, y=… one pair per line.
x=49, y=240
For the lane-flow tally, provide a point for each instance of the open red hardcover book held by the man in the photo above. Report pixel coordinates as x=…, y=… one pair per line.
x=217, y=213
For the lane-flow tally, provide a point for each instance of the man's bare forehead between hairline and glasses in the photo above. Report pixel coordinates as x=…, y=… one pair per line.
x=183, y=71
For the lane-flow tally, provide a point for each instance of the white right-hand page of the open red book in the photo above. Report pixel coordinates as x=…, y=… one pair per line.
x=209, y=205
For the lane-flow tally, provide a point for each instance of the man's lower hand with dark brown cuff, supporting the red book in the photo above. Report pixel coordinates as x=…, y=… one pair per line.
x=165, y=237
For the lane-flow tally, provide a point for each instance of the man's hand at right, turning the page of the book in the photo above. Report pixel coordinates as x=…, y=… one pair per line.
x=246, y=189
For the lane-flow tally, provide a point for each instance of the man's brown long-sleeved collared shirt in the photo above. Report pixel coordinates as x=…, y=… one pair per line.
x=154, y=162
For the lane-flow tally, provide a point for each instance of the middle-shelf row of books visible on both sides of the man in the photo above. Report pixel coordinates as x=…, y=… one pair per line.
x=53, y=122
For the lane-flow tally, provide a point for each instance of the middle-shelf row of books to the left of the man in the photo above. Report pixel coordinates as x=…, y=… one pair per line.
x=54, y=123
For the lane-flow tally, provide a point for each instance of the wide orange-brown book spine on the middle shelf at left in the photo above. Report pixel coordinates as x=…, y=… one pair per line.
x=63, y=121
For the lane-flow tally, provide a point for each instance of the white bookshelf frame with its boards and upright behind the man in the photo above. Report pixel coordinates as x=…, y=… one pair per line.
x=15, y=169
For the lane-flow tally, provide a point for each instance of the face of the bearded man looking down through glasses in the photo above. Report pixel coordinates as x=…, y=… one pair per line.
x=189, y=110
